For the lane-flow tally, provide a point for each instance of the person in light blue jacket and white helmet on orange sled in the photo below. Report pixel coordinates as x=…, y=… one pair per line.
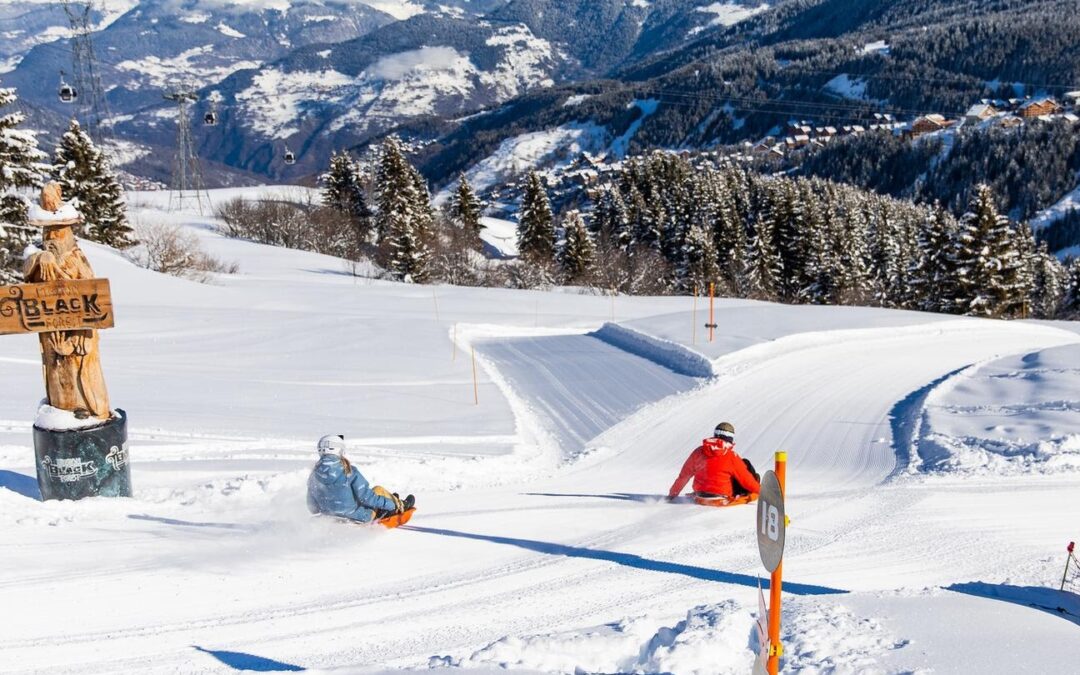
x=337, y=489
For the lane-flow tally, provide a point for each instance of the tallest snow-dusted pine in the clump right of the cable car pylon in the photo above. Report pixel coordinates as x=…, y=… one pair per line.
x=404, y=220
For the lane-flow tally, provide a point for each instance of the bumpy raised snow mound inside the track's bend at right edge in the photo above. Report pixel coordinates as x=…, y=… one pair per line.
x=1015, y=415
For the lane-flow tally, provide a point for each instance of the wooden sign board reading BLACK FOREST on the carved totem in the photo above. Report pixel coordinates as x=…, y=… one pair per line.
x=64, y=305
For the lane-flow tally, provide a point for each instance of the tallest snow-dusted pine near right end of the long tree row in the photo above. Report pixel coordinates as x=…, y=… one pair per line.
x=989, y=261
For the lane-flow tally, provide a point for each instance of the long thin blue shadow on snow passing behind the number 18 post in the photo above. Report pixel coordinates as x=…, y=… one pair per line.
x=630, y=560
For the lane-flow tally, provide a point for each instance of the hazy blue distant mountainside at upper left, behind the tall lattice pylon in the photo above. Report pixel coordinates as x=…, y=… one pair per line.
x=157, y=45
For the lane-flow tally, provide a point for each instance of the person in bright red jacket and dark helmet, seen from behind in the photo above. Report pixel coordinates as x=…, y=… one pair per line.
x=718, y=470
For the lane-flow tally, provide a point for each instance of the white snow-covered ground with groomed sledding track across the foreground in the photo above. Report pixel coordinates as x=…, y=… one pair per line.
x=933, y=482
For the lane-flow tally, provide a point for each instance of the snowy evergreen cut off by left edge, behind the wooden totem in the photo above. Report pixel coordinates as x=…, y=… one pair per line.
x=20, y=169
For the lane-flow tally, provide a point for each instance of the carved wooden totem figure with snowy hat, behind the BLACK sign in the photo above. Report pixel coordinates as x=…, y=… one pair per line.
x=73, y=369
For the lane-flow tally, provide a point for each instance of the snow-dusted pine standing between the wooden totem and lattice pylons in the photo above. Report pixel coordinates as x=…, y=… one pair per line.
x=85, y=174
